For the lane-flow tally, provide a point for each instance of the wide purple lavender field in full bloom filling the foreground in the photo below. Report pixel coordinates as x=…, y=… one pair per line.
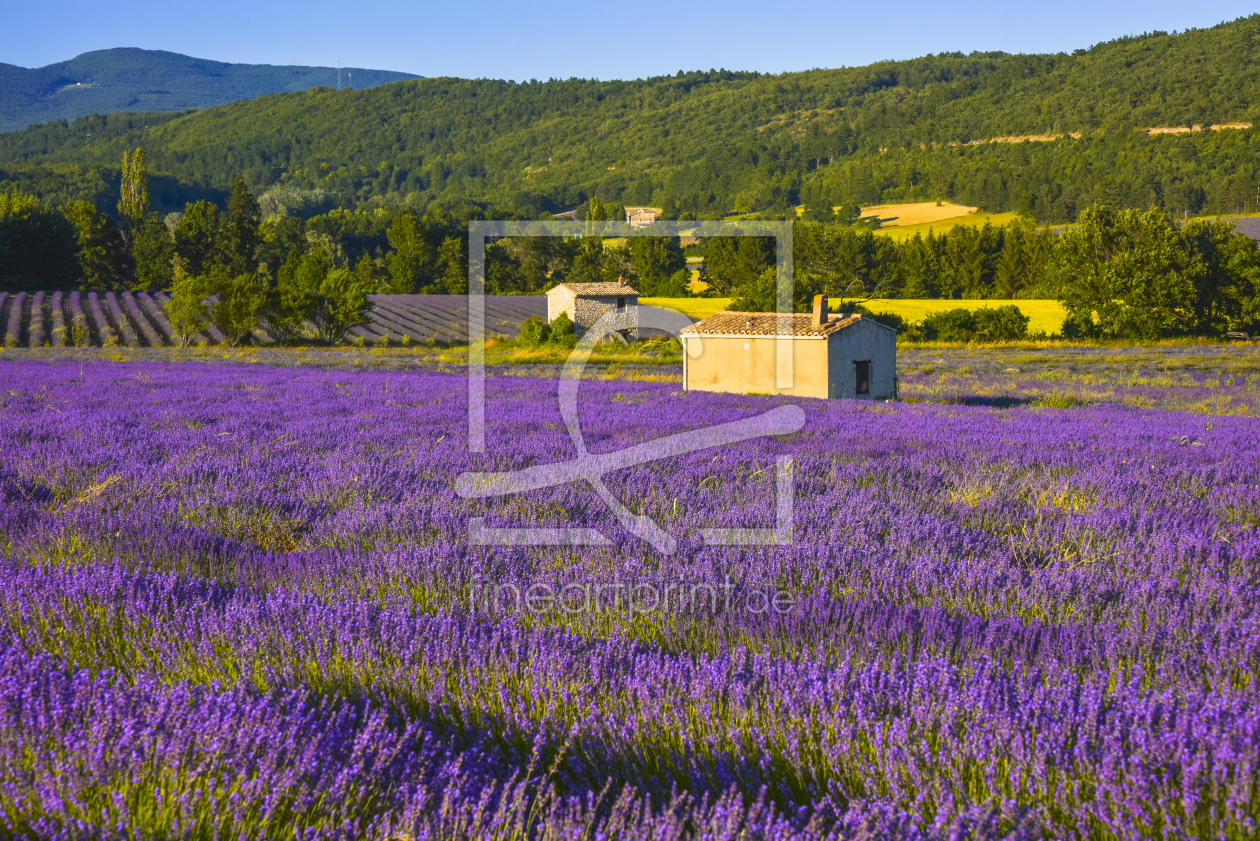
x=243, y=602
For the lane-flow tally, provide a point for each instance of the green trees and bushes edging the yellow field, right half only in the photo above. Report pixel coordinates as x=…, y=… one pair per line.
x=1120, y=274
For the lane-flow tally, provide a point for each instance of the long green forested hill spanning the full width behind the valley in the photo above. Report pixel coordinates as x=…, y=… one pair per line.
x=711, y=143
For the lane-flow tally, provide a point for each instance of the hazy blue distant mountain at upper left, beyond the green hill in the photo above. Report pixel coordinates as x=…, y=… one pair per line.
x=143, y=80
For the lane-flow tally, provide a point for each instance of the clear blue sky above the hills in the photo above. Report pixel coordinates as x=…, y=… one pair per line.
x=535, y=40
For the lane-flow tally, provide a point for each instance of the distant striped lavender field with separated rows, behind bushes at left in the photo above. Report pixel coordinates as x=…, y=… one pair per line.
x=109, y=320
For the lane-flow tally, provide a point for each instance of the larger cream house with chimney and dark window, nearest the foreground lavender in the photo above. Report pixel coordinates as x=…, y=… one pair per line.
x=831, y=356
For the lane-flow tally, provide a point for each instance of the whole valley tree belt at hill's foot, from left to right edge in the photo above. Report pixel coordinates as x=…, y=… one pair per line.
x=1121, y=273
